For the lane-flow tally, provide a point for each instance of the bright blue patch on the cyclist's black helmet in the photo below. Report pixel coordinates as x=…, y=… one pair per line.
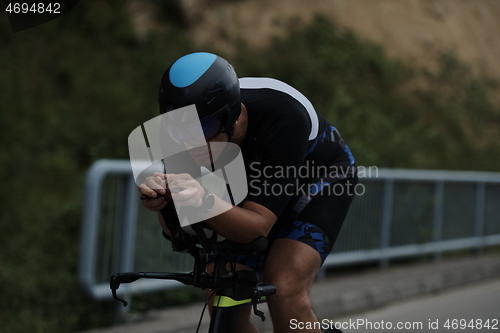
x=186, y=70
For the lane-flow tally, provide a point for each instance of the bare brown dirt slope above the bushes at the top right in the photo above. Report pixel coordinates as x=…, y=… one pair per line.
x=413, y=30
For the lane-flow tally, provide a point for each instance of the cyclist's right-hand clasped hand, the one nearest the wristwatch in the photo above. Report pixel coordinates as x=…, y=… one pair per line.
x=185, y=190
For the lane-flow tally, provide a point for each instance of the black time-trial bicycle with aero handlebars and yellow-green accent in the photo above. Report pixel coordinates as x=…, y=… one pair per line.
x=232, y=289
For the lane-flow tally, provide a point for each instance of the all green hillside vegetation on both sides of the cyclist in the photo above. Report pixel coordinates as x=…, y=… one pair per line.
x=74, y=88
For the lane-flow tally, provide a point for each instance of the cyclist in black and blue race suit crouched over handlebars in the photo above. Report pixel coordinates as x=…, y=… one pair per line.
x=299, y=170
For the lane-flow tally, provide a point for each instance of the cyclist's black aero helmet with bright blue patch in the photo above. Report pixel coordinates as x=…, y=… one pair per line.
x=206, y=80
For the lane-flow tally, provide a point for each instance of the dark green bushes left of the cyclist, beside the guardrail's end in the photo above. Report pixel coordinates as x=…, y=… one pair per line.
x=72, y=90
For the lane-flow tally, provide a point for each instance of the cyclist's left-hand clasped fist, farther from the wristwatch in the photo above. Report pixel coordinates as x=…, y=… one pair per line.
x=153, y=189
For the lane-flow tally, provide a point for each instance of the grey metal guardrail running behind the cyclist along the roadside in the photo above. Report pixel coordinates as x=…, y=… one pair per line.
x=401, y=213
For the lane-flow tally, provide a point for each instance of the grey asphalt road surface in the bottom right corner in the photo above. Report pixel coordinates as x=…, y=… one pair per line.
x=466, y=306
